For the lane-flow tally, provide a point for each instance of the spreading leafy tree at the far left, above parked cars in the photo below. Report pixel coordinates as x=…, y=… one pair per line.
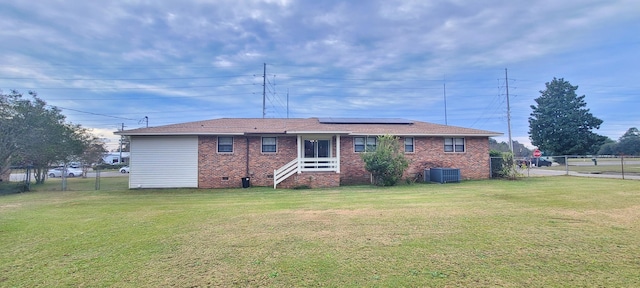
x=36, y=135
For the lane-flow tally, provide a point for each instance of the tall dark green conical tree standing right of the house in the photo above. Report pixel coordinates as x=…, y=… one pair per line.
x=560, y=124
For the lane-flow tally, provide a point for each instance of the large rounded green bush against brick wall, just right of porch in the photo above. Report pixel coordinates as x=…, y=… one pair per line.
x=387, y=162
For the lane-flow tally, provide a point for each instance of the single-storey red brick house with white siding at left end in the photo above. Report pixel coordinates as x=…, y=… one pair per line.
x=316, y=152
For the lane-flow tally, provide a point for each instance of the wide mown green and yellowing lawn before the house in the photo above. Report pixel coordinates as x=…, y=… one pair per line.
x=537, y=232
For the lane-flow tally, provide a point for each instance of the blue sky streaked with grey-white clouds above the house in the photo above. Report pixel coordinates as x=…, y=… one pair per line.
x=113, y=63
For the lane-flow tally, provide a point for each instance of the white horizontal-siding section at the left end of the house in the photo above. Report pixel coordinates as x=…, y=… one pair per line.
x=163, y=162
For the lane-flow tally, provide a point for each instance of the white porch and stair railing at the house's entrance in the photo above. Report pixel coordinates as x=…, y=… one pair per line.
x=304, y=165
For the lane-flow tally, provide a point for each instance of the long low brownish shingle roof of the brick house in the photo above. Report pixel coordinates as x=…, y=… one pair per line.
x=243, y=126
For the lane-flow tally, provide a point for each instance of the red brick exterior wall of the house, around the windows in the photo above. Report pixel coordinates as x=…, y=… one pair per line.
x=428, y=153
